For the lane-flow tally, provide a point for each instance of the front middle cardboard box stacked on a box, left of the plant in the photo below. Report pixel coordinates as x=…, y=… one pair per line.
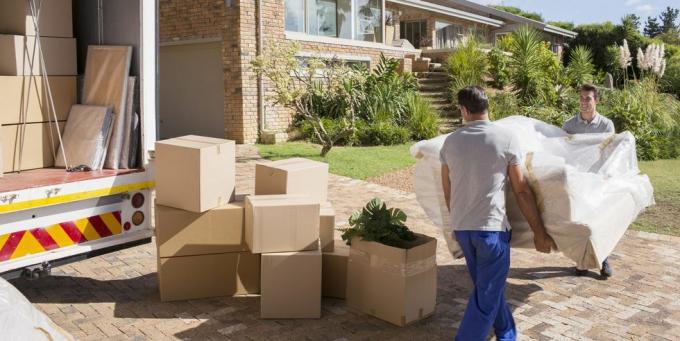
x=281, y=223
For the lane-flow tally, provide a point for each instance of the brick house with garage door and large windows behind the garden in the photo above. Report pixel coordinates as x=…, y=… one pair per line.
x=207, y=86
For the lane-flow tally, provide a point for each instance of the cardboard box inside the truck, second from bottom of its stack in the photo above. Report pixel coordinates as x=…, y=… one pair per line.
x=16, y=95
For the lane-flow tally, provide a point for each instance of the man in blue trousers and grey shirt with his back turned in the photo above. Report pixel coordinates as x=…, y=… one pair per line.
x=477, y=161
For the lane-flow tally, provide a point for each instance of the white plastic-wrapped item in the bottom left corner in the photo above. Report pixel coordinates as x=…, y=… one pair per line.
x=19, y=320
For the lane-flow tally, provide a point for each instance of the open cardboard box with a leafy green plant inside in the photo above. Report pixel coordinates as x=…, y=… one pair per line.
x=392, y=272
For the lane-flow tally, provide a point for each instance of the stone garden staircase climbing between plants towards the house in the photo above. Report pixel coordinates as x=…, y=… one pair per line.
x=434, y=86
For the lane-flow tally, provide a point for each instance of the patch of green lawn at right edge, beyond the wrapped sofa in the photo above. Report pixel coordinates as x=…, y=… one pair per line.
x=664, y=217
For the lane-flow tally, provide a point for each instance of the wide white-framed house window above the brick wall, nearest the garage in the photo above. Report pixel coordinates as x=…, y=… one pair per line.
x=349, y=19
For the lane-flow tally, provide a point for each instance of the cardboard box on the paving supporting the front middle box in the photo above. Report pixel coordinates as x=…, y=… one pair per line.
x=291, y=285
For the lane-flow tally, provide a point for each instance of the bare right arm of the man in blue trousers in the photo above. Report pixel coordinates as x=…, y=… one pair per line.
x=527, y=204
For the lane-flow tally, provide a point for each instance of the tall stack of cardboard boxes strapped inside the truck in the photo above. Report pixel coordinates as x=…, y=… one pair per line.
x=22, y=80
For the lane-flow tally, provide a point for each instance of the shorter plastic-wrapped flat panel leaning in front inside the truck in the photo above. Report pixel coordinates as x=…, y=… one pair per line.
x=86, y=137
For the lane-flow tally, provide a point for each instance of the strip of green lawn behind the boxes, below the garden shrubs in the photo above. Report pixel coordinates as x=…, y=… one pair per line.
x=354, y=162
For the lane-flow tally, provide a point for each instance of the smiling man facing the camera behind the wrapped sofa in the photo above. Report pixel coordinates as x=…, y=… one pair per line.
x=589, y=121
